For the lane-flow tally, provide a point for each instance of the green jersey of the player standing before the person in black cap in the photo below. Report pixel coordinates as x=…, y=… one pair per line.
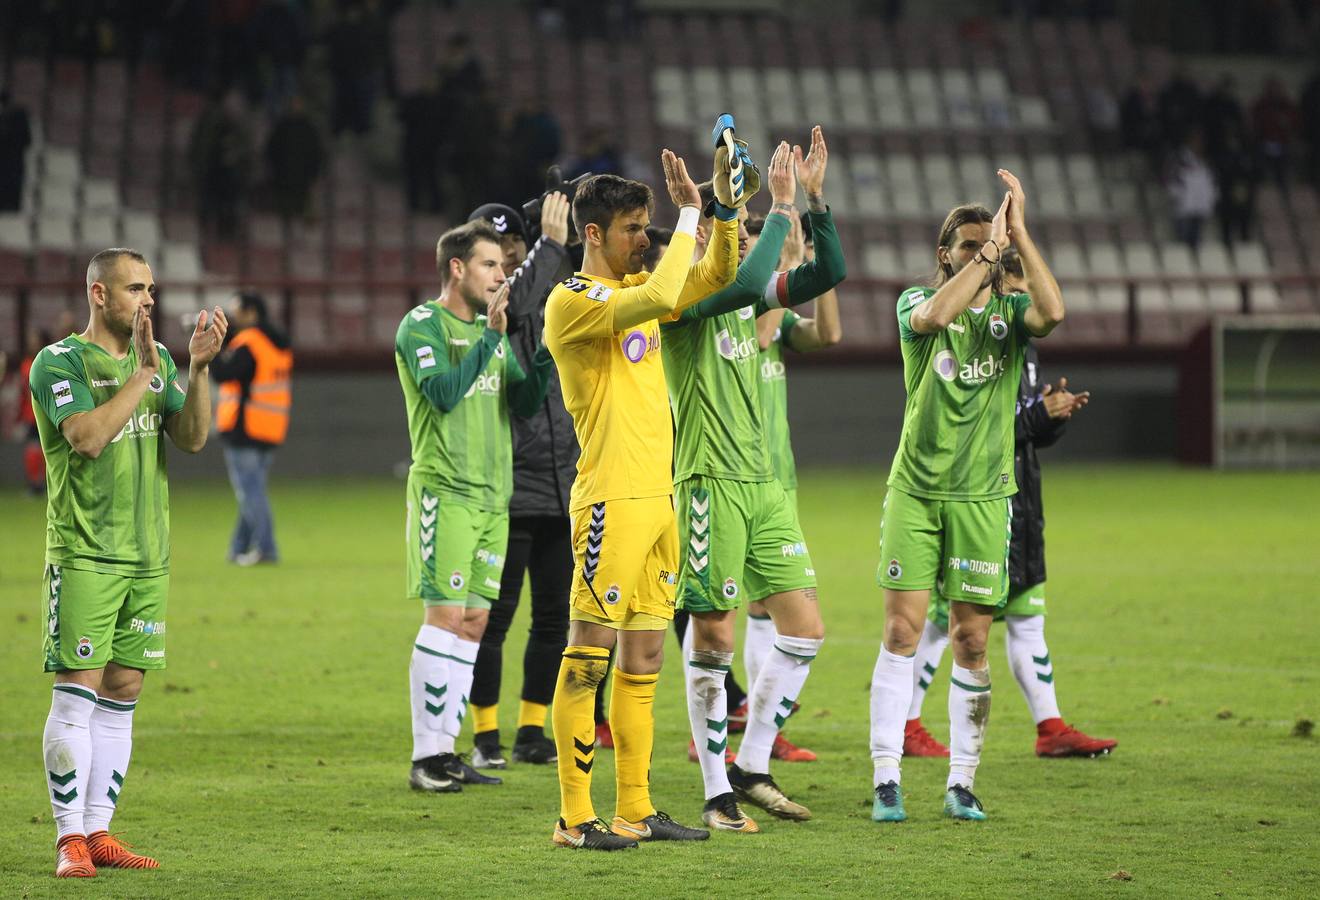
x=467, y=453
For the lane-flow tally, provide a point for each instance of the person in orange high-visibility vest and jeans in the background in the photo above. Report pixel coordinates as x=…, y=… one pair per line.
x=253, y=418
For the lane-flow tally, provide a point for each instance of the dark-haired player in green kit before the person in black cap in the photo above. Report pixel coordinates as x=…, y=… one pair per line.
x=460, y=382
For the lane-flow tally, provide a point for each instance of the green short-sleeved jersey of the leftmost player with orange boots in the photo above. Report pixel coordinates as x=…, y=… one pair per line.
x=110, y=514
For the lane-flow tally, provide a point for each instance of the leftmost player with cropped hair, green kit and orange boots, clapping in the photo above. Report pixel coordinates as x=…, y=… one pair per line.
x=104, y=401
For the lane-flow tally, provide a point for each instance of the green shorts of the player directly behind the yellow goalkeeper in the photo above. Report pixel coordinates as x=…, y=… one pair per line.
x=740, y=542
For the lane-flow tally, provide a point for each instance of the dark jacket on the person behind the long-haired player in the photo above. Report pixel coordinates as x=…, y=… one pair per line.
x=1034, y=430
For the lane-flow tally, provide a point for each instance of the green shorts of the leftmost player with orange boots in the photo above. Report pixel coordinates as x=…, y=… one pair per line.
x=93, y=620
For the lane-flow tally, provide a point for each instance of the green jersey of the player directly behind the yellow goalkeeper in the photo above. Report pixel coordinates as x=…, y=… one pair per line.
x=712, y=368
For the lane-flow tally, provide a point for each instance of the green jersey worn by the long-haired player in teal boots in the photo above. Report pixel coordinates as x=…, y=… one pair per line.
x=962, y=391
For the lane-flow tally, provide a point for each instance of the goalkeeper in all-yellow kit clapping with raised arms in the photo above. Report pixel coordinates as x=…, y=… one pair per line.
x=603, y=327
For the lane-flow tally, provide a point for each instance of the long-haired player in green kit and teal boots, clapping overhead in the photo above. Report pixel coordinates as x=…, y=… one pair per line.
x=947, y=515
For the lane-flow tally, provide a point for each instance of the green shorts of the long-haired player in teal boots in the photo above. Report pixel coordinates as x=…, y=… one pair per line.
x=958, y=548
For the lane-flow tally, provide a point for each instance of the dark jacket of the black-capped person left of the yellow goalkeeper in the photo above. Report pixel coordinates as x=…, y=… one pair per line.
x=546, y=448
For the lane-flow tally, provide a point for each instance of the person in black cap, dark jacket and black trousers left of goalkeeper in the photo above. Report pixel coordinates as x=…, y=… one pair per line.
x=541, y=546
